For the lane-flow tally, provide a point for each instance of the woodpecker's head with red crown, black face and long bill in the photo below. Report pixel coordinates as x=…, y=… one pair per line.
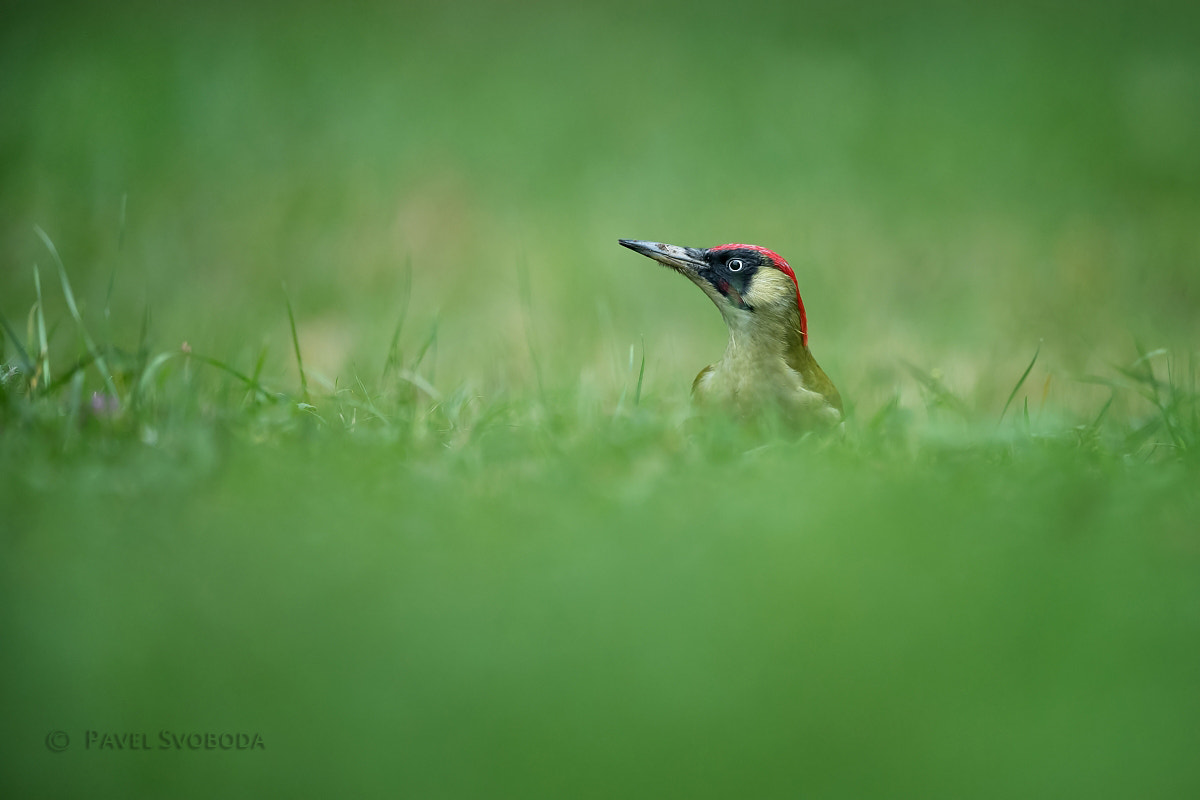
x=743, y=280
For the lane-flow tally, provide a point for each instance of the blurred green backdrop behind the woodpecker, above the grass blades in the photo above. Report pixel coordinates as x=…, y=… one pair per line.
x=952, y=184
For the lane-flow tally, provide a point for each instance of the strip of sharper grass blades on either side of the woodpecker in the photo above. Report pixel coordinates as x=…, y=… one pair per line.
x=139, y=392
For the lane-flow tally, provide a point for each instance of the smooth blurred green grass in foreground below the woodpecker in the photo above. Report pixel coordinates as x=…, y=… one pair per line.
x=617, y=619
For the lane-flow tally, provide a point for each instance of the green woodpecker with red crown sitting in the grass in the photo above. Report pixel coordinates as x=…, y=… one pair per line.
x=767, y=364
